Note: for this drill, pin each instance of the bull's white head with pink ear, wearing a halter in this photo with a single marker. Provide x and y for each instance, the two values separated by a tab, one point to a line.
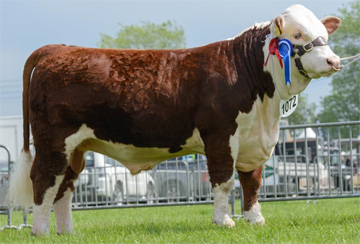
311	57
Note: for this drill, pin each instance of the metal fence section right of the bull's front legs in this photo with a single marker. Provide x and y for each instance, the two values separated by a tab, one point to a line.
314	161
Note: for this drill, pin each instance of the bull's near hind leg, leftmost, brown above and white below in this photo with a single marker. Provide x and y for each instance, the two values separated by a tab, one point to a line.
47	175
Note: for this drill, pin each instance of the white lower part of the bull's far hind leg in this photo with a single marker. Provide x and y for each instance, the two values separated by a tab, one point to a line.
63	216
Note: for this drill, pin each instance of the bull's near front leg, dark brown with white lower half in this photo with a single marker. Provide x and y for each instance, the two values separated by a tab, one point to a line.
221	172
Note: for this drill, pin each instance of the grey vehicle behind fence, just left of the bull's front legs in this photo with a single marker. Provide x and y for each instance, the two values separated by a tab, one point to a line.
182	178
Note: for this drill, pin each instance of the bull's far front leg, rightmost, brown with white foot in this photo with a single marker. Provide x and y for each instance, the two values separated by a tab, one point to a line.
251	182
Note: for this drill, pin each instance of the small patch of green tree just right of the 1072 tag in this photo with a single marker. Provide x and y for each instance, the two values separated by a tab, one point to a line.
304	113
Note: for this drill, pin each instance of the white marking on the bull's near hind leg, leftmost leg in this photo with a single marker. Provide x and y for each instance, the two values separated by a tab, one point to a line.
42	212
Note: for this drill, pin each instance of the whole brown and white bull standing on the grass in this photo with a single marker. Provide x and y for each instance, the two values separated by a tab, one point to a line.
141	107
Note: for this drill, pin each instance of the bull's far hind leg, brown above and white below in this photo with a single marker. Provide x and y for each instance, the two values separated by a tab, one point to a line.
62	205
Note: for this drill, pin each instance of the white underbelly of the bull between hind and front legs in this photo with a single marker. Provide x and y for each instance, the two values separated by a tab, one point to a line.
133	158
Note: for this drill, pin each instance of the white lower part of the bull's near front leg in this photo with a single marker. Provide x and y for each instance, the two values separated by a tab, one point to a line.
221	204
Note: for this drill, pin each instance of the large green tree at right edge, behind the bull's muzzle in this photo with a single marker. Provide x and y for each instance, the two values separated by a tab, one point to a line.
344	102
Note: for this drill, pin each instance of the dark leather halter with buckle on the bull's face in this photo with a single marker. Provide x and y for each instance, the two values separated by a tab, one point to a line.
302	49
